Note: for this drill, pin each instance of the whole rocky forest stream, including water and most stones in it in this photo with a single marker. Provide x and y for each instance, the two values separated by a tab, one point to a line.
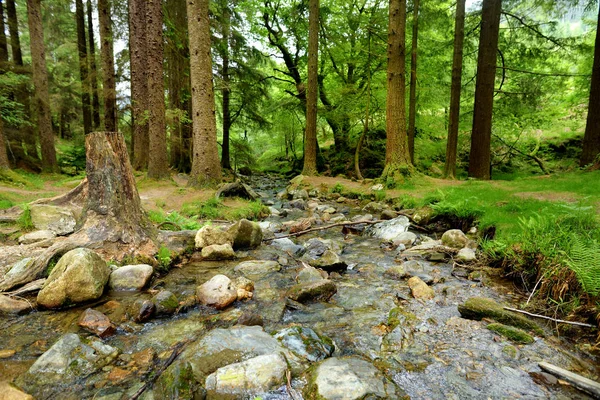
361	335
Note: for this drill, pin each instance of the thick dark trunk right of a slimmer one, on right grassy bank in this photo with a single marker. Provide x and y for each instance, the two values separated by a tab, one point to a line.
480	155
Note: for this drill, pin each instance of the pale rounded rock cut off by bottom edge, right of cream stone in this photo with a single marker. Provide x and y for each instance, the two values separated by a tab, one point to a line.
349	378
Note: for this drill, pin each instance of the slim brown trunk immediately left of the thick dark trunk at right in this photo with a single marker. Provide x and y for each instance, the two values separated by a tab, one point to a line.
459	36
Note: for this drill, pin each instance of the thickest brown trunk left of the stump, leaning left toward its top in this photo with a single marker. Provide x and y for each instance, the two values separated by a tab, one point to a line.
40	81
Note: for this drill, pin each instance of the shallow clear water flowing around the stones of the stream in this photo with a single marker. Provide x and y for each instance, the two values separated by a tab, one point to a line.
432	354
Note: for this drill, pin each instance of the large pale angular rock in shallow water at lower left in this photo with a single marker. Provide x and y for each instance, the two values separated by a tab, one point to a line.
68	360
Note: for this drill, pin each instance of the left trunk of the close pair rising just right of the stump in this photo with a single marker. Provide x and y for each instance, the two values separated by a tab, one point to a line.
138	45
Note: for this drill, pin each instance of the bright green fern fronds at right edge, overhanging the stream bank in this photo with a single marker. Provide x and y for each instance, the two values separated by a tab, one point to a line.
584	260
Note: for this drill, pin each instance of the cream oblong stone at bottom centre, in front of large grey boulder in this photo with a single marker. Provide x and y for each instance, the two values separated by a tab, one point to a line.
248	378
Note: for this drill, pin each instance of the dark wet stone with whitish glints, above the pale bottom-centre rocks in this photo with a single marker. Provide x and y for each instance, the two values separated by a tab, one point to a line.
306	343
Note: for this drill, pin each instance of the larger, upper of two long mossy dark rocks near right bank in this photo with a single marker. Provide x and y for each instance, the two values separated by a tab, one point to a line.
478	308
